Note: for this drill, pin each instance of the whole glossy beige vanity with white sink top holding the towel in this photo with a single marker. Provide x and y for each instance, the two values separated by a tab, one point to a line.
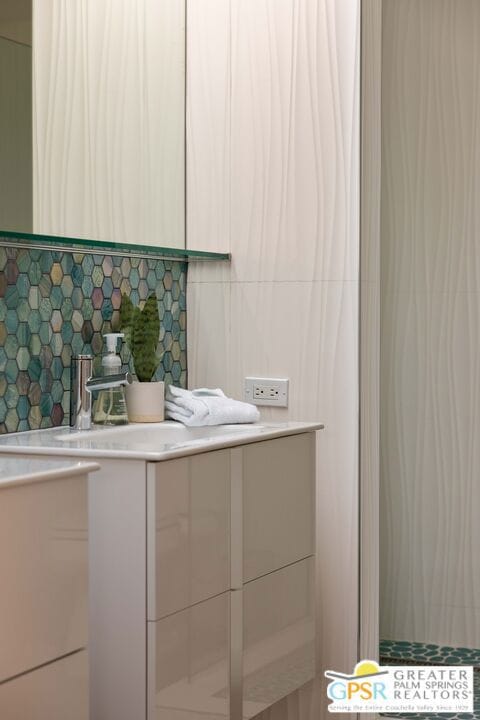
202	580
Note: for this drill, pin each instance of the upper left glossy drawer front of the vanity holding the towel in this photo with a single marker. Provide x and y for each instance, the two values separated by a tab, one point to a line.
188	531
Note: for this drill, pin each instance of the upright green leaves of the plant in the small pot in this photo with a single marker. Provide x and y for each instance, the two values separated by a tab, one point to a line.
142	331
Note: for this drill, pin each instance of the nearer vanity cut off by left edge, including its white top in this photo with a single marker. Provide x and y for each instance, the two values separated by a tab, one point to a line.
43	595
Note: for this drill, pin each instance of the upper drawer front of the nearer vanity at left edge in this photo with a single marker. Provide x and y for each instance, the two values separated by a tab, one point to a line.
44	572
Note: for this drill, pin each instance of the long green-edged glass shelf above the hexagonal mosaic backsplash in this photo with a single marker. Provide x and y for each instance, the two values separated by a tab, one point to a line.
54	242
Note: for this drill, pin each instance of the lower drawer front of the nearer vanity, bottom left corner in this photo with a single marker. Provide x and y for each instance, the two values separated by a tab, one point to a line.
58	691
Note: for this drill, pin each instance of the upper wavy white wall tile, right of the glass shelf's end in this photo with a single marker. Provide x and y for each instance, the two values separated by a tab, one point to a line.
294	140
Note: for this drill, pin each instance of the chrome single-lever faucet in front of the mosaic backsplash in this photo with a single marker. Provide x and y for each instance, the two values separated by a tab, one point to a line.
82	386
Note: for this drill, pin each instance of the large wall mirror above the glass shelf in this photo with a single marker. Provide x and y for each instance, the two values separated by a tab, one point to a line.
93	143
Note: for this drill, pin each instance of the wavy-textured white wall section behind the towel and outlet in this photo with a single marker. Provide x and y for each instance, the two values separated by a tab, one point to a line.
278	106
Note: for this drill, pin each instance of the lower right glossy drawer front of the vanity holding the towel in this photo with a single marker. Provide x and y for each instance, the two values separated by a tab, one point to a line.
278	635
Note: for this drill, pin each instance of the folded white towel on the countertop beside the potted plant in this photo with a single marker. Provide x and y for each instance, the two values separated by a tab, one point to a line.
207	407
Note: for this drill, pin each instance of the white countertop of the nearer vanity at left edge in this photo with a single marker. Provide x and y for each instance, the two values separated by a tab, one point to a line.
22	471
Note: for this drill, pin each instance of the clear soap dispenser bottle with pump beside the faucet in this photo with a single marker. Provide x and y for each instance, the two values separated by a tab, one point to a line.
111	407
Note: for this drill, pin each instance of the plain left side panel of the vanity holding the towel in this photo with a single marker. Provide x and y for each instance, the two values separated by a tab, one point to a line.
117	556
